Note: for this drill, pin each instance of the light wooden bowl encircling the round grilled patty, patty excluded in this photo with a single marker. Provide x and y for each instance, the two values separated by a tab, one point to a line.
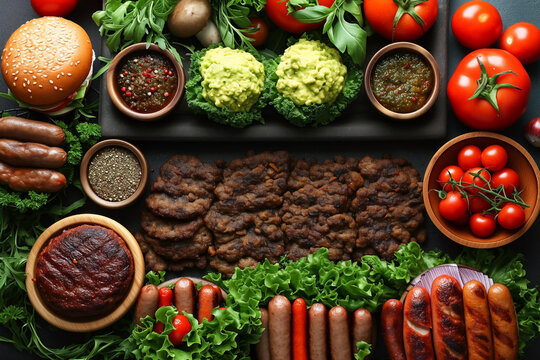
87	324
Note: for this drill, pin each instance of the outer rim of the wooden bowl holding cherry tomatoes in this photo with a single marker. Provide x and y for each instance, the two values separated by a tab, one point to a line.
481	243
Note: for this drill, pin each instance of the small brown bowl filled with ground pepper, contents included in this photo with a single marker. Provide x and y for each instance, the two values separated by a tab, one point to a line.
114	173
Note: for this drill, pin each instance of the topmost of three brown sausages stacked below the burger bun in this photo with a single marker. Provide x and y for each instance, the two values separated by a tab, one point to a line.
30	130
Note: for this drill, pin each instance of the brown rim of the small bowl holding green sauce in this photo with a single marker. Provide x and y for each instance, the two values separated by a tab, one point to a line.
403	47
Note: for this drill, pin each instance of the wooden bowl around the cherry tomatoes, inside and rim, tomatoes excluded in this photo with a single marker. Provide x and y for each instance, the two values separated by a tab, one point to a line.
518	159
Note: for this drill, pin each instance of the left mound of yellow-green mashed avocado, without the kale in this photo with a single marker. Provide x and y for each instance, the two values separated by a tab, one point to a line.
232	79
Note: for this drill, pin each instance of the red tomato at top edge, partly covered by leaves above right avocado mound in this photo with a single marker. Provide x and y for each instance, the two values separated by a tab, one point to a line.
277	12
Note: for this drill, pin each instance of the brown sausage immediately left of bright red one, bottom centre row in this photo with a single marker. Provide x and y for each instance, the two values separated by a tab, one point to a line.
279	326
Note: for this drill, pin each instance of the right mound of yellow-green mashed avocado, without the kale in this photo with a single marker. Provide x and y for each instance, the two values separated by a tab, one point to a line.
311	72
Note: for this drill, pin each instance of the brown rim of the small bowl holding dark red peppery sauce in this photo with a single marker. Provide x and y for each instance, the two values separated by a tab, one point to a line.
114	91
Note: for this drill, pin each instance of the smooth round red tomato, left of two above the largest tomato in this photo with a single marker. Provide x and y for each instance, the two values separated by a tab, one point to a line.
476	24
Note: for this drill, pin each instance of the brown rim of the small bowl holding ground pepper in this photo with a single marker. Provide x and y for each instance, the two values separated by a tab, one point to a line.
86	183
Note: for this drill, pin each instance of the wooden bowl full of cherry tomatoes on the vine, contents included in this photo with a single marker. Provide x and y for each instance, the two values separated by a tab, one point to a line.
482	190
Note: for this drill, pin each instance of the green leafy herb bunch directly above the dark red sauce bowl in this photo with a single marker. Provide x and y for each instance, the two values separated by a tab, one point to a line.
126	22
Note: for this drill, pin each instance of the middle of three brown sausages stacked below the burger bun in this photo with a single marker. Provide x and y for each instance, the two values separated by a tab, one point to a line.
17	153
